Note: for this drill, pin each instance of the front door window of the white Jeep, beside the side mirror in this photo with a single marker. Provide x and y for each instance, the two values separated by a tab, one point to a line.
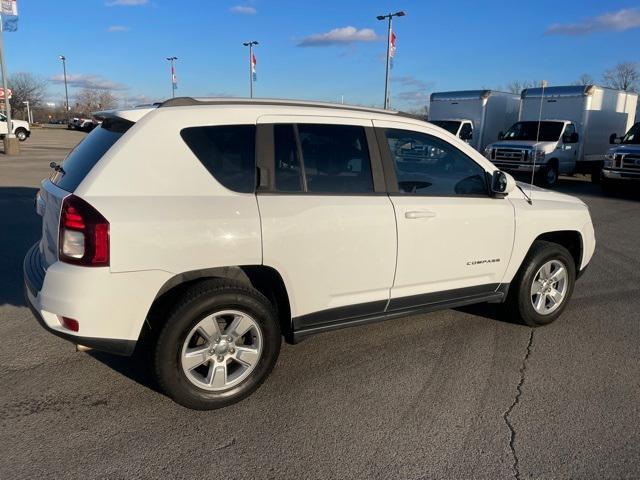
427	165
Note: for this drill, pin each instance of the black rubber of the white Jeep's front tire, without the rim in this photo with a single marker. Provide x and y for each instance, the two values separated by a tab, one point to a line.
519	305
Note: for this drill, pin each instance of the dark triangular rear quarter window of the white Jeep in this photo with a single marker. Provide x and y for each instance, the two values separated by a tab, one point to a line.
227	152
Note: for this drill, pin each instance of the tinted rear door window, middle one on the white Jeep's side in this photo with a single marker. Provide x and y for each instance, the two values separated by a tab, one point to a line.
332	159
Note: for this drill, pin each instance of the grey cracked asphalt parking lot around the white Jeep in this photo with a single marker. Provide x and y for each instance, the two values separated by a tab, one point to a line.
455	394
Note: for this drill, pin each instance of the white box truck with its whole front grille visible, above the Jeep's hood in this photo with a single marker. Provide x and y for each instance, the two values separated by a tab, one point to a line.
572	135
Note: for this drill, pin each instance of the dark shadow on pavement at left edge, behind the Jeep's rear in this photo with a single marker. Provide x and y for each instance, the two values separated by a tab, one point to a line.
20	227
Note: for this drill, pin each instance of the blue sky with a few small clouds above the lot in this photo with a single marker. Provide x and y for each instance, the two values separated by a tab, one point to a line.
122	44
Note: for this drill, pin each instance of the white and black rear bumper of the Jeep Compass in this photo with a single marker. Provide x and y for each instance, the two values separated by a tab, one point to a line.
110	308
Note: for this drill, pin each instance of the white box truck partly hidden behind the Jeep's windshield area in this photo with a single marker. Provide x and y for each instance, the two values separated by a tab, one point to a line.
475	116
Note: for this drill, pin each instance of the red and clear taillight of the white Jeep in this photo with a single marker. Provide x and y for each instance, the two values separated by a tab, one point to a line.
84	234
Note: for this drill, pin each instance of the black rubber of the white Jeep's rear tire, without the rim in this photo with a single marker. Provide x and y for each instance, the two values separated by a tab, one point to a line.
198	302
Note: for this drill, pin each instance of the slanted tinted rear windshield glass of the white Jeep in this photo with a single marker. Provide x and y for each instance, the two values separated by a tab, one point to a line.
87	153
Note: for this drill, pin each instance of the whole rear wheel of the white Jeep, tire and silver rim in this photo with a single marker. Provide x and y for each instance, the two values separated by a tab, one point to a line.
217	346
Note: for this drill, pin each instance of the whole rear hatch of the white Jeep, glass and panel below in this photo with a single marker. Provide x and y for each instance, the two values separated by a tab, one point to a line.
68	176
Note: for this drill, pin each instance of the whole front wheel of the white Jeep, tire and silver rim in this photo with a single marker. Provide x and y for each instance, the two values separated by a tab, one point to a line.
542	288
